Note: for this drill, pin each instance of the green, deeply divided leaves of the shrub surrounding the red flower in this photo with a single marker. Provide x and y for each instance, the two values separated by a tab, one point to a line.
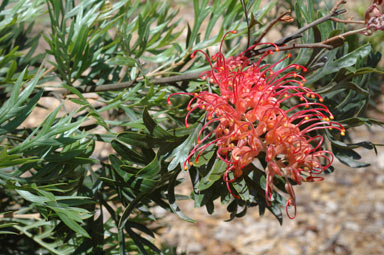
59	194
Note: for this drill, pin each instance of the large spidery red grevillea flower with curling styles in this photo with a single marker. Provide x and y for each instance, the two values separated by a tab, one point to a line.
251	115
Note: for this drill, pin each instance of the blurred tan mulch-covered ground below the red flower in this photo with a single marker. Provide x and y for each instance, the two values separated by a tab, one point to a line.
342	215
